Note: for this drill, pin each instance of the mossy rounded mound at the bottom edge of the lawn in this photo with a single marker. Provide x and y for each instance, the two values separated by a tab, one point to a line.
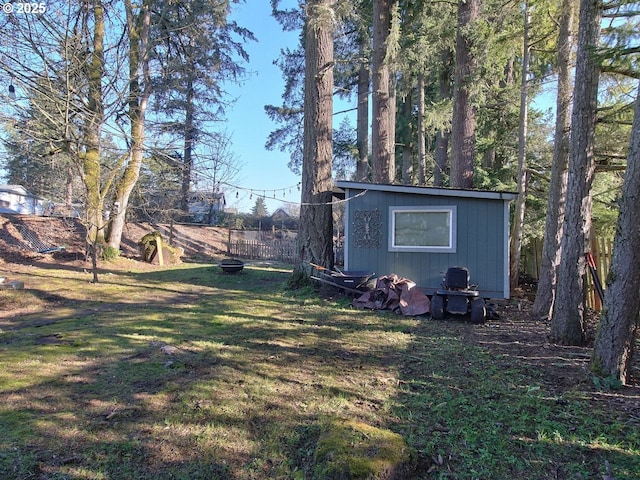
348	449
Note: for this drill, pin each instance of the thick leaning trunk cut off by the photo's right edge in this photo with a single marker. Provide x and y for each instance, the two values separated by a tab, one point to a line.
614	345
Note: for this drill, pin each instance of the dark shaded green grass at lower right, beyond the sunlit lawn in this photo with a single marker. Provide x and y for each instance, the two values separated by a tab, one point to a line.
498	401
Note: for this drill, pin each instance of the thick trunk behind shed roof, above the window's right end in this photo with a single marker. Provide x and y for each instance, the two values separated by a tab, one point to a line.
464	116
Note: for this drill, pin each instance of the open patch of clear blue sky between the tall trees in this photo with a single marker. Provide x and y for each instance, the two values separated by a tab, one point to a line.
261	170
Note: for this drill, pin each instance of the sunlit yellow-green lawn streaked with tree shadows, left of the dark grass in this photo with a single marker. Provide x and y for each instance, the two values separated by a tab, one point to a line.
198	386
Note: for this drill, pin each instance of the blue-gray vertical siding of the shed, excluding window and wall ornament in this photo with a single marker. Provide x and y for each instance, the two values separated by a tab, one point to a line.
482	241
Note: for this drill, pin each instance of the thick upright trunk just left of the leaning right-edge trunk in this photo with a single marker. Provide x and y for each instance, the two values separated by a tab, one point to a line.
567	323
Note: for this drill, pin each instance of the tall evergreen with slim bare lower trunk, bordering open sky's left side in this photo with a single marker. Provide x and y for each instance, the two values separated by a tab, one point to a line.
197	48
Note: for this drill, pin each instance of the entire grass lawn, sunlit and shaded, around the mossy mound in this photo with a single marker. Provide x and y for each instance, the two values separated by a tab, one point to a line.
188	373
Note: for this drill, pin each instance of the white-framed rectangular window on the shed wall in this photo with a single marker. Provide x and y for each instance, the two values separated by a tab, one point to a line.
422	229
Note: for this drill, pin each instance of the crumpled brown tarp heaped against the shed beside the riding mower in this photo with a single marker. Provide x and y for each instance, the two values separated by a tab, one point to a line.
395	293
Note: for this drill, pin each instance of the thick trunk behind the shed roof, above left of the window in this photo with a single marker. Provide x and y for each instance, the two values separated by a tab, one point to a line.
381	134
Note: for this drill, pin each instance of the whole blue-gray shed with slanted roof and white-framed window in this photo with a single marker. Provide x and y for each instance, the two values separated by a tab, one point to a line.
419	232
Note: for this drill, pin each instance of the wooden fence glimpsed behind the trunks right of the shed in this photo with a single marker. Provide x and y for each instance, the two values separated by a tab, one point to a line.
600	249
